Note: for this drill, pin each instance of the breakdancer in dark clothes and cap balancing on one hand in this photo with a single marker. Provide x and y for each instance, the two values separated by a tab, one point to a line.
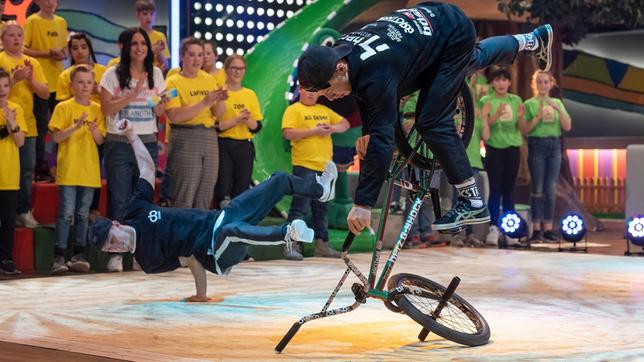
163	239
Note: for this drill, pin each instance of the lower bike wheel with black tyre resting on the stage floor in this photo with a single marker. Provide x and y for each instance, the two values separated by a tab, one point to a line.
458	322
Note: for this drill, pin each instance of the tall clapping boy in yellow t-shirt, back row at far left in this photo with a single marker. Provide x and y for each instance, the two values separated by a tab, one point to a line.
28	79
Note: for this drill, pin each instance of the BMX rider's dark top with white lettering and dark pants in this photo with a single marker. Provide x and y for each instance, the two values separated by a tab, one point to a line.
431	47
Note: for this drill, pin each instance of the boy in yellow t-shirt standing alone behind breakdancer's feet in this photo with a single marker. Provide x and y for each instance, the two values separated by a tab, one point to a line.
309	127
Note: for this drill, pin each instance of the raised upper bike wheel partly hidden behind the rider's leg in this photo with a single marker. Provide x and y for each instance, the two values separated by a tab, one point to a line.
464	123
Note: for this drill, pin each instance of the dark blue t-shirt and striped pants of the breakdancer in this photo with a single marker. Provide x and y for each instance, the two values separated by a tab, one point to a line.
218	239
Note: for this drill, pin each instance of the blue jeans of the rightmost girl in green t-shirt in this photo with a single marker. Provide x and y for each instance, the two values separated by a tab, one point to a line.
544	161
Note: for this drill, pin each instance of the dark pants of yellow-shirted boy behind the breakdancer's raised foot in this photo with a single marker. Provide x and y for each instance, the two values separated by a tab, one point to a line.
301	205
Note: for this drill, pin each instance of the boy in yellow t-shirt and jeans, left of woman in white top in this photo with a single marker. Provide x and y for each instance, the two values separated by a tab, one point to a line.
78	127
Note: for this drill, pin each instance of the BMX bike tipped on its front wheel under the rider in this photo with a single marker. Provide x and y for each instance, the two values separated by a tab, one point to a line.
436	308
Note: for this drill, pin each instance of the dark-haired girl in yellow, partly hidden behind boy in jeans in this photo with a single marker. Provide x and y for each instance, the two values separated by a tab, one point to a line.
82	53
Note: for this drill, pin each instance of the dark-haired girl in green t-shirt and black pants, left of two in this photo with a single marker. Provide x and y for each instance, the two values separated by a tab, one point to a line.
504	113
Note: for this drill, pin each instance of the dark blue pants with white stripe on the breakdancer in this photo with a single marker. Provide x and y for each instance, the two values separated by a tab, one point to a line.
246	210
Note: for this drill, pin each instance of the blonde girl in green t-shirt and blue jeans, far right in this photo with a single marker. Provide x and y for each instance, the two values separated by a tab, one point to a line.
545	118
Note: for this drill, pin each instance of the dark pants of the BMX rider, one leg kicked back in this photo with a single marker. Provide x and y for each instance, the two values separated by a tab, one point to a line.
437	100
